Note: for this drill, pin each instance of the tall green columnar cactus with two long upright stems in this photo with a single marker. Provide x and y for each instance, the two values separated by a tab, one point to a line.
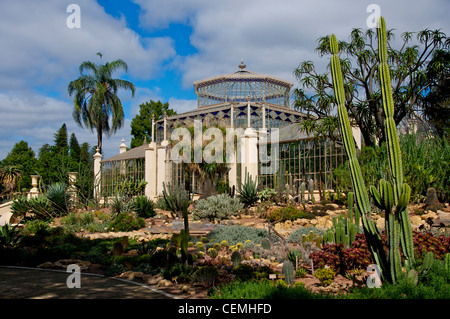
393	199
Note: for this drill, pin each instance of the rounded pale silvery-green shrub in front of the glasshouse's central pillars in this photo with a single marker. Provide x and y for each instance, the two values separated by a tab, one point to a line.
217	208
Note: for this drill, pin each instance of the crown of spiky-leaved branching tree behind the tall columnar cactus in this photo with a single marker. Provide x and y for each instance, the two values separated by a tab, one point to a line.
359	61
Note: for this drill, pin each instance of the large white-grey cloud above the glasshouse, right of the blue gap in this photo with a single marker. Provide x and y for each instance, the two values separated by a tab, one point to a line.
274	36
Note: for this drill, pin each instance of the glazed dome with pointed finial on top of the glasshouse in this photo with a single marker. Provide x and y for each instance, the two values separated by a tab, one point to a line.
242	86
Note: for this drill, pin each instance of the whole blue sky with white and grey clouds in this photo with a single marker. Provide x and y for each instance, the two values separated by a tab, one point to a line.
167	45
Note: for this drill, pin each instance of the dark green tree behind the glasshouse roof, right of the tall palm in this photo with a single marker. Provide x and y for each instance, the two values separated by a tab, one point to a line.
141	125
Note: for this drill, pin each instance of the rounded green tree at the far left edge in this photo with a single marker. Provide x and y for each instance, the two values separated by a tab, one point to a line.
22	157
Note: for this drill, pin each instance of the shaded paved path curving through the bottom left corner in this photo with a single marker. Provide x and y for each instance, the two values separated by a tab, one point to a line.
33	283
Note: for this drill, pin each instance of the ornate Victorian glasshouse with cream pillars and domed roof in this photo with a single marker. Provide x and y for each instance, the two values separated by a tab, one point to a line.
257	107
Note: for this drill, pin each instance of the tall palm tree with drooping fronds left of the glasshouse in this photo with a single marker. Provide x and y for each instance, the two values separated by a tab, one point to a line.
96	100
